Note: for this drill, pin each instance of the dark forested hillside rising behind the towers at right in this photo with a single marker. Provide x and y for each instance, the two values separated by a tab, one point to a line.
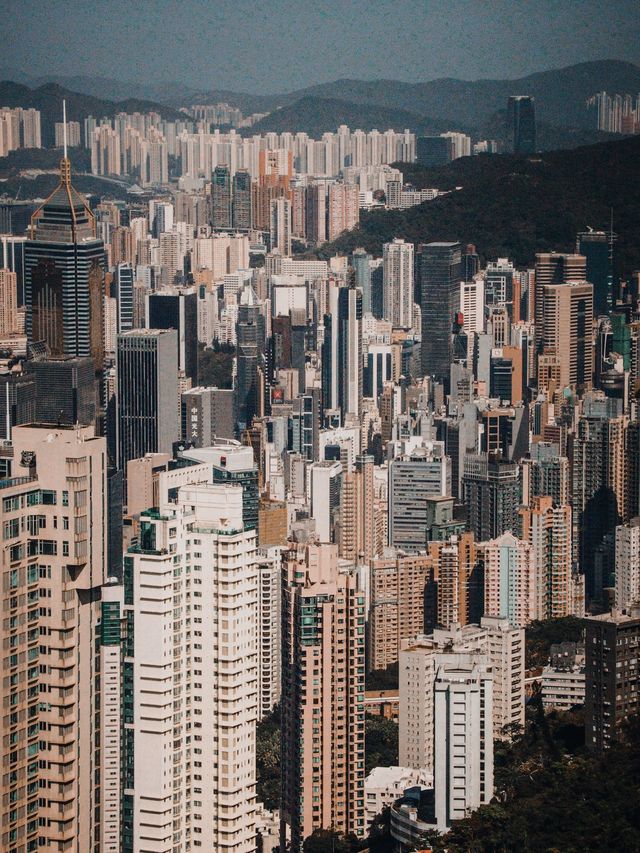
516	206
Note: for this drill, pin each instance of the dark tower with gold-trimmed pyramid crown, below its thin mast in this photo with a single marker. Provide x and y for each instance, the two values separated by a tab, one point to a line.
64	275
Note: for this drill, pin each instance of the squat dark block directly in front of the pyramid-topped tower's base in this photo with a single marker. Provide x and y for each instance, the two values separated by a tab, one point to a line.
65	392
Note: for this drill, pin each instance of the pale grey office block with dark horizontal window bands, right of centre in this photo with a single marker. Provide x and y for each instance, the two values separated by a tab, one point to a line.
414	477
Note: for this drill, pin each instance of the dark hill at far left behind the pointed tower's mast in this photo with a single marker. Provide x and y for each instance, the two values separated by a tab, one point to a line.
48	99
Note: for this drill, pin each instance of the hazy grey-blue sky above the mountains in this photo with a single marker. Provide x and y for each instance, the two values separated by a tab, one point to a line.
278	46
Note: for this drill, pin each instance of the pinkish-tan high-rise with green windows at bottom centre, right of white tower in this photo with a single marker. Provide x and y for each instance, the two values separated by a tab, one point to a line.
323	654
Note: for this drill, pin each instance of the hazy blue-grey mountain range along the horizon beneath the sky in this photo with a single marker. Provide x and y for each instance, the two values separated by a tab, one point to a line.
560	93
